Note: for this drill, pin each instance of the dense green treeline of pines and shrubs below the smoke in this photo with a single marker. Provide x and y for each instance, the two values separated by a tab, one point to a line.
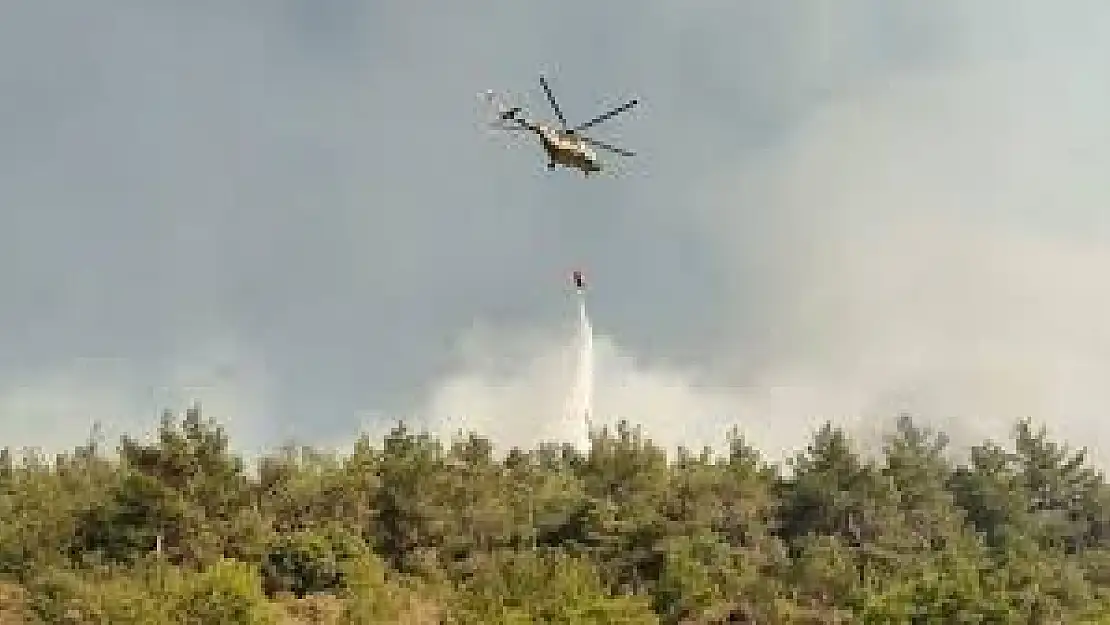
415	530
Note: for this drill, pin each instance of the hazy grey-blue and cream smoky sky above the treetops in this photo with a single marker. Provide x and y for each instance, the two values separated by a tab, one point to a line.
292	211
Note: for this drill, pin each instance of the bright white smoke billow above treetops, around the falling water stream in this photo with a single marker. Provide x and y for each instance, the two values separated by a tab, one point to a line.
522	389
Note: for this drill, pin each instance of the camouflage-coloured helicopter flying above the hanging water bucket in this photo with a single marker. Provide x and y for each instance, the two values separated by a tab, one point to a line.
566	146
